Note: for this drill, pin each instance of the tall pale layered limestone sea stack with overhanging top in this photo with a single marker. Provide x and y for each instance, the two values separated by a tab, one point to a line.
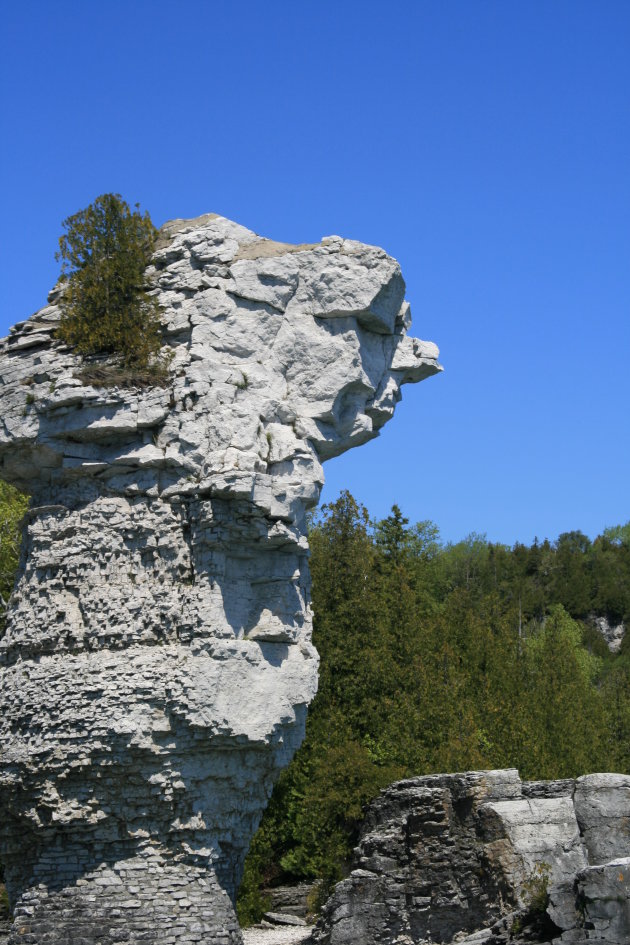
157	663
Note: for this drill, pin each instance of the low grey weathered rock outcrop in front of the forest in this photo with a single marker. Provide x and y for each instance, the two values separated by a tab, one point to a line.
446	855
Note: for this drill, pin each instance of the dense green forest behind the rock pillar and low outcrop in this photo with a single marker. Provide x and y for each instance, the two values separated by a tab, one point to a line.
442	658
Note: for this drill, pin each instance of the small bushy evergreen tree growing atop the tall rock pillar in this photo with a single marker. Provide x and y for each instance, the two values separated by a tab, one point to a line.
106	308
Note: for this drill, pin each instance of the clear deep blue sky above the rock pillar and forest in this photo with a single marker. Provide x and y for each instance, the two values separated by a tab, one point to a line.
485	144
